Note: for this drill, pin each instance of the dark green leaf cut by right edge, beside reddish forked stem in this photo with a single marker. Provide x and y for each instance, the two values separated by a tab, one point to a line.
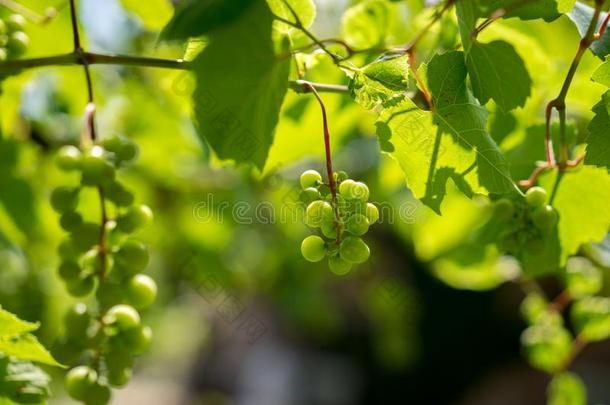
598	141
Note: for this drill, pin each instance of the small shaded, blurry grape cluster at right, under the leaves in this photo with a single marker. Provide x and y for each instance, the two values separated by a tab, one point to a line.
529	222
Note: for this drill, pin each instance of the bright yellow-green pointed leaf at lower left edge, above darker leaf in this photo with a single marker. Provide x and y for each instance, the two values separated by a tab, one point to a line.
17	341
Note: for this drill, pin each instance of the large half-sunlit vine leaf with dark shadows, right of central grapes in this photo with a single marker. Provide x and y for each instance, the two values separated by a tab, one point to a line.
450	143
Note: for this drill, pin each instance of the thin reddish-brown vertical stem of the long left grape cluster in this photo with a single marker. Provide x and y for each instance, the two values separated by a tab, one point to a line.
91	132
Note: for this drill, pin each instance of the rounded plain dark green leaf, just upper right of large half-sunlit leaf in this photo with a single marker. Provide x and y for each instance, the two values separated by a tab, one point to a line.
497	72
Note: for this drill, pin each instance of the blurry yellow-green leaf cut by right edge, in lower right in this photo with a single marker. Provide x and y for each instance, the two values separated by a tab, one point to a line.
591	318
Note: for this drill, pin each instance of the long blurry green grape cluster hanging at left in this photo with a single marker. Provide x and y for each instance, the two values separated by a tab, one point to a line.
102	258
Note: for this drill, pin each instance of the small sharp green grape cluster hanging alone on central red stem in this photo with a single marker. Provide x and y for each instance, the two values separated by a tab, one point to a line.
341	222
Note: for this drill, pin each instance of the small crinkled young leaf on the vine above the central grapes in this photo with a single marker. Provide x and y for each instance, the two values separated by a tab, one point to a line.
382	80
